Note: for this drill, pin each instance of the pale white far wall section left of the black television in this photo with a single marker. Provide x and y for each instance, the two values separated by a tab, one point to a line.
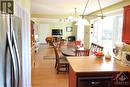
43	32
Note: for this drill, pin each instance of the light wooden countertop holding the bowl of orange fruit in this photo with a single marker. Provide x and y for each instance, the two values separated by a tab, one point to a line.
93	64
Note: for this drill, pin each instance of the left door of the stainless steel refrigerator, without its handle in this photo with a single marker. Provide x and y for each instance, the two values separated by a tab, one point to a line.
3	29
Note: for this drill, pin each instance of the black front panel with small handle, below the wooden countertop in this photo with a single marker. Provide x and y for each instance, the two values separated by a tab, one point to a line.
95	81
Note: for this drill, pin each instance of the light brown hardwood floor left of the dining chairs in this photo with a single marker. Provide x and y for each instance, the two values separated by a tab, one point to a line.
43	70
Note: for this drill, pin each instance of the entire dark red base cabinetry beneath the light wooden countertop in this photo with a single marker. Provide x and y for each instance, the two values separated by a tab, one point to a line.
98	79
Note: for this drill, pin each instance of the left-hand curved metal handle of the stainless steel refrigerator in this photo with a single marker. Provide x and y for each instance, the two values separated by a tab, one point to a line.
12	58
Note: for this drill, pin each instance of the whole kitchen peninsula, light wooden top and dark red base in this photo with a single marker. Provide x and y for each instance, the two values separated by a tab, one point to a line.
91	71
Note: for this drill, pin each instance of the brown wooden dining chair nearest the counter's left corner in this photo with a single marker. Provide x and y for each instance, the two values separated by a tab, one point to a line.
61	63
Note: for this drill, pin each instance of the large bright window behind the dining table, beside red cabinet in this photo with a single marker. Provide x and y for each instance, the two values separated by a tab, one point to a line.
107	31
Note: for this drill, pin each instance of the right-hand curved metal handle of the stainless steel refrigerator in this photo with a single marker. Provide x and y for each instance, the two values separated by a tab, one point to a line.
17	56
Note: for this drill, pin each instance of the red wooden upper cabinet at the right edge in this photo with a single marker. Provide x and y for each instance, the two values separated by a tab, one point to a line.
126	25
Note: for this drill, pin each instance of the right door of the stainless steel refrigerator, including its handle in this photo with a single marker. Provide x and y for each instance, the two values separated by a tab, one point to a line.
17	45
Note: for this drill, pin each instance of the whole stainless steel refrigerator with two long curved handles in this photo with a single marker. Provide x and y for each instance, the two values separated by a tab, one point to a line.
10	51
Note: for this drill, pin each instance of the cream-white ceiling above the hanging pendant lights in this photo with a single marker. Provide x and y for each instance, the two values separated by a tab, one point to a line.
66	7
